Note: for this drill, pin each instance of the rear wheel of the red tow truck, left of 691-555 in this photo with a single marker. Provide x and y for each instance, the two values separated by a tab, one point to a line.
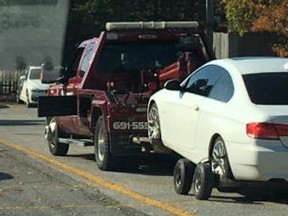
103	156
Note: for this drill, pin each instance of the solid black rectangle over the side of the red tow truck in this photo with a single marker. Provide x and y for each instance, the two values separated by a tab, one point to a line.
57	106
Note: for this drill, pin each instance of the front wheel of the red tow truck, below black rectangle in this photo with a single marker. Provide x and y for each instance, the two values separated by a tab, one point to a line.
55	147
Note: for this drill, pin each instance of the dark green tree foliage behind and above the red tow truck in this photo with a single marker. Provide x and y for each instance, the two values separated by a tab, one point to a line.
87	18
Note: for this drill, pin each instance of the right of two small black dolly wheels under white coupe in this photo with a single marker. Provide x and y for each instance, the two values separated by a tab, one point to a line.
203	181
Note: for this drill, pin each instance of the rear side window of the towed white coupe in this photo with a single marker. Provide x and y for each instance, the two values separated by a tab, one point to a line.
224	88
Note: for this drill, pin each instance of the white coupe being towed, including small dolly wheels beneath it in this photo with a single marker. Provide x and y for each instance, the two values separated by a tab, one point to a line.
229	120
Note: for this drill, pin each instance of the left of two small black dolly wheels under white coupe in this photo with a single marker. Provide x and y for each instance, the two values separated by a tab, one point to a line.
183	175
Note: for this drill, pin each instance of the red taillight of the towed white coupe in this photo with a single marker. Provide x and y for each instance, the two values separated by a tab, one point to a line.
259	130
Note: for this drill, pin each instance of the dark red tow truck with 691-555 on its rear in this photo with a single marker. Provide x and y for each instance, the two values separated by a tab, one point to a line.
101	97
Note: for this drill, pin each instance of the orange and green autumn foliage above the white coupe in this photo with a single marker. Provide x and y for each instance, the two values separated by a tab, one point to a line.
261	16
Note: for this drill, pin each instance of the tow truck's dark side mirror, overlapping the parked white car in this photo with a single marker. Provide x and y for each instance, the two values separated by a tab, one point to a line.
51	74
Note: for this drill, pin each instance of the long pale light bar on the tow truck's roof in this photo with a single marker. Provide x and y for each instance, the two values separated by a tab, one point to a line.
151	25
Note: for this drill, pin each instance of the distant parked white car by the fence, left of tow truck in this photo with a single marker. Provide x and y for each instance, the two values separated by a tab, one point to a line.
32	87
